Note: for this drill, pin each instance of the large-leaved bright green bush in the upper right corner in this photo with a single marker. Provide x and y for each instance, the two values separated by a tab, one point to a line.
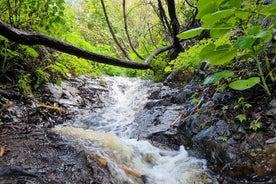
249	27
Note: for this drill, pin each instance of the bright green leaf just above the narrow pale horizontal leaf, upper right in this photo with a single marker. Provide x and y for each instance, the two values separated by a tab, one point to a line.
210	20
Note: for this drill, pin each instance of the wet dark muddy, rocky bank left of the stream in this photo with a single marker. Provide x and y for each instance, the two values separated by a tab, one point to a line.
31	153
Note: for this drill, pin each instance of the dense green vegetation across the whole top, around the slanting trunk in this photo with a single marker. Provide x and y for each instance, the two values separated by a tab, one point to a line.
237	37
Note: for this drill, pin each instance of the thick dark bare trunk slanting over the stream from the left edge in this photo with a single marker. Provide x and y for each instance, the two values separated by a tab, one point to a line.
28	38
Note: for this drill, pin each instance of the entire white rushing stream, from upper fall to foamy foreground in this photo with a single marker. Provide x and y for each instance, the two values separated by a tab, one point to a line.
107	135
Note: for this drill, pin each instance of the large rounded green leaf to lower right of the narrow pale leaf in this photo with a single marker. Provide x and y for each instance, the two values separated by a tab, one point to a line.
218	55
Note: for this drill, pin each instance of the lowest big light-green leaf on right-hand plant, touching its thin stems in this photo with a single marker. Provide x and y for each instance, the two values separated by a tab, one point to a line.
244	84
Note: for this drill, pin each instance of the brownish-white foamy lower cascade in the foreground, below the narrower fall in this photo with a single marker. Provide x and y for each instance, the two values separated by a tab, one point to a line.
157	165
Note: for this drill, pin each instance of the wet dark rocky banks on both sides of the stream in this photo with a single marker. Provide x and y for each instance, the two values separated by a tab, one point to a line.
202	118
